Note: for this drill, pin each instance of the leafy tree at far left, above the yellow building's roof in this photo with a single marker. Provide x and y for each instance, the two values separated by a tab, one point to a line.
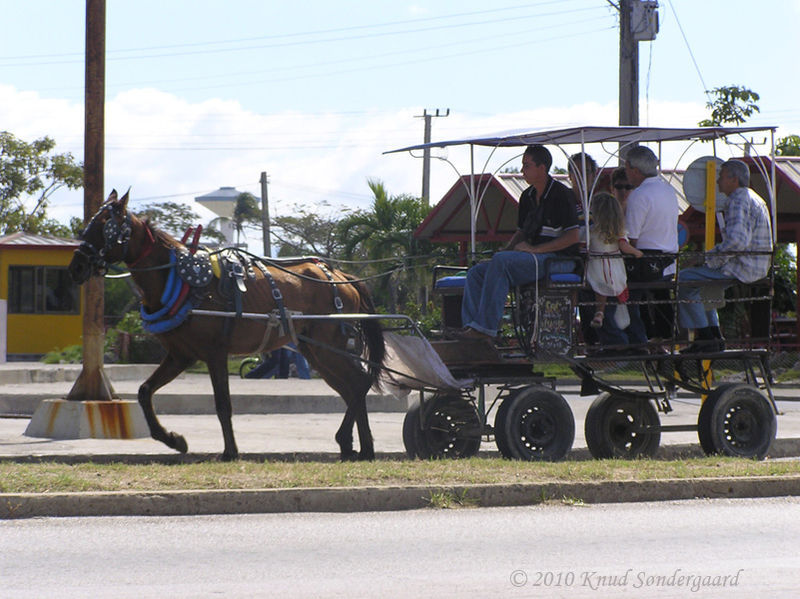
30	171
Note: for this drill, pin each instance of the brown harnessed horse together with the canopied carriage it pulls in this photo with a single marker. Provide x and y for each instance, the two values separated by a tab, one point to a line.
206	306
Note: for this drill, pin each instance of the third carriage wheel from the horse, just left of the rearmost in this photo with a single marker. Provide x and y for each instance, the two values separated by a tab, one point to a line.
614	427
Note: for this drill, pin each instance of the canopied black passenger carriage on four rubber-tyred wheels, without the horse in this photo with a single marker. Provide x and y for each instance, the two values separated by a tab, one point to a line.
527	416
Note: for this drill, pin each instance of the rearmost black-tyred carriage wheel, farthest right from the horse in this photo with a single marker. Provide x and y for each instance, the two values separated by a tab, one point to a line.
737	420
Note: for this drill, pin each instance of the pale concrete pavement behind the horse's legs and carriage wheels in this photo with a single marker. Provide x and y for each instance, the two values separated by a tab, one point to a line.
277	417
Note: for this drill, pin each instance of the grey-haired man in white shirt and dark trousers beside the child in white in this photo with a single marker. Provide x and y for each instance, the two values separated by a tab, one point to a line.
651	218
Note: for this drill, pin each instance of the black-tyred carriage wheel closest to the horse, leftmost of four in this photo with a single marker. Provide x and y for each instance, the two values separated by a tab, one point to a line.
448	426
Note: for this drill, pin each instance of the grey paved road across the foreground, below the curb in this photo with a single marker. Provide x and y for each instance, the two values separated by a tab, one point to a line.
555	550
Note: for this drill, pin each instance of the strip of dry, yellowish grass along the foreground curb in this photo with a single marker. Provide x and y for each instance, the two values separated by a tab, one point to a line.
52	477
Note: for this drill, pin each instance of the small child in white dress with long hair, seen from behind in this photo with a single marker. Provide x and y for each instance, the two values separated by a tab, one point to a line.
606	269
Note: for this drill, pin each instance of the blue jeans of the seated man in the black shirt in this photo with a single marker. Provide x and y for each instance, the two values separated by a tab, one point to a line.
488	283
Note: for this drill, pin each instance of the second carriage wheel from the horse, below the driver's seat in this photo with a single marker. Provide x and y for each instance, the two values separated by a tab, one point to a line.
538	425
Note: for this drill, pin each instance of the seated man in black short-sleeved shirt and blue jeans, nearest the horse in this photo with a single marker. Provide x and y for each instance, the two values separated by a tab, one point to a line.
547	226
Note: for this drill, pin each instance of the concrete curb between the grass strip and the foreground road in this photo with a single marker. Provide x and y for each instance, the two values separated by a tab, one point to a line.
364	499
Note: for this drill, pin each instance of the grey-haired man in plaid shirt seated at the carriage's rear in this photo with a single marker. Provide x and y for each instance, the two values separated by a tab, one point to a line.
747	230
